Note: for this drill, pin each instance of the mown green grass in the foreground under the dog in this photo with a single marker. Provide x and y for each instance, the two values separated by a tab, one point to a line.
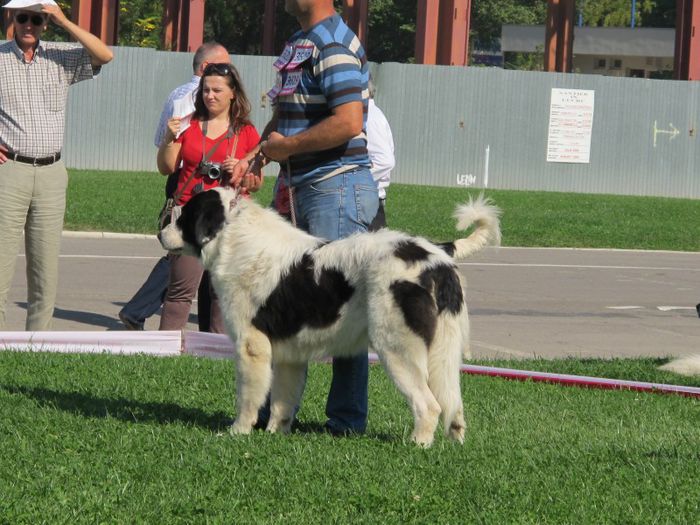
110	439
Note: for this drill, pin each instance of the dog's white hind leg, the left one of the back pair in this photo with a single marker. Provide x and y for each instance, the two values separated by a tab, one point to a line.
408	368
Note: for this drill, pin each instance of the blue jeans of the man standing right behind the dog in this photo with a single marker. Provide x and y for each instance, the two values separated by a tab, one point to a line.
333	209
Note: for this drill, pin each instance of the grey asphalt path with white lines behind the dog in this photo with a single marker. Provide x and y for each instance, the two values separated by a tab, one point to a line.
523	302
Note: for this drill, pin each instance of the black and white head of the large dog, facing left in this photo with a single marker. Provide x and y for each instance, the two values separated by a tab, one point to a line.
201	219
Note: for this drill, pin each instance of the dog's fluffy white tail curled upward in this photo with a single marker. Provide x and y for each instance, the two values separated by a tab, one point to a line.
482	213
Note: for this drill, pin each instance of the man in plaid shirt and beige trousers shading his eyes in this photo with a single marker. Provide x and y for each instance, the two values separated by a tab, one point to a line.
33	179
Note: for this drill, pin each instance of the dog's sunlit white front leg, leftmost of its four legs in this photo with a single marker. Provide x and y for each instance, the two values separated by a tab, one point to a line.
253	375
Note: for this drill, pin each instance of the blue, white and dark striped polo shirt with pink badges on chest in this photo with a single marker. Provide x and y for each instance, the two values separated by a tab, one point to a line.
320	69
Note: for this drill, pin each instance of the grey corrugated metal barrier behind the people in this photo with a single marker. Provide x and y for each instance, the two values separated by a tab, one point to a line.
454	127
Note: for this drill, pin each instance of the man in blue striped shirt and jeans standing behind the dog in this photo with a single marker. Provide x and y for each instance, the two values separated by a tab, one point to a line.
318	136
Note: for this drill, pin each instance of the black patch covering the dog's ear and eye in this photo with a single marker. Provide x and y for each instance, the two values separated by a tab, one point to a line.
202	218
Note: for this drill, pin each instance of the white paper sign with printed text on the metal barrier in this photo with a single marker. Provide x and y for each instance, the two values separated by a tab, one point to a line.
570	125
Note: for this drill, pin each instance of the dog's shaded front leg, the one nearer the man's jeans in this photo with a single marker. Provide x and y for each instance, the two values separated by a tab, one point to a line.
288	381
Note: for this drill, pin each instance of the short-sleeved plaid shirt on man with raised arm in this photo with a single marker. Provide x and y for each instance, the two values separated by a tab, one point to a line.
33	95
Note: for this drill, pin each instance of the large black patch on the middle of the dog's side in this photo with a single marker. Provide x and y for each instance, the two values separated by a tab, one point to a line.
299	301
